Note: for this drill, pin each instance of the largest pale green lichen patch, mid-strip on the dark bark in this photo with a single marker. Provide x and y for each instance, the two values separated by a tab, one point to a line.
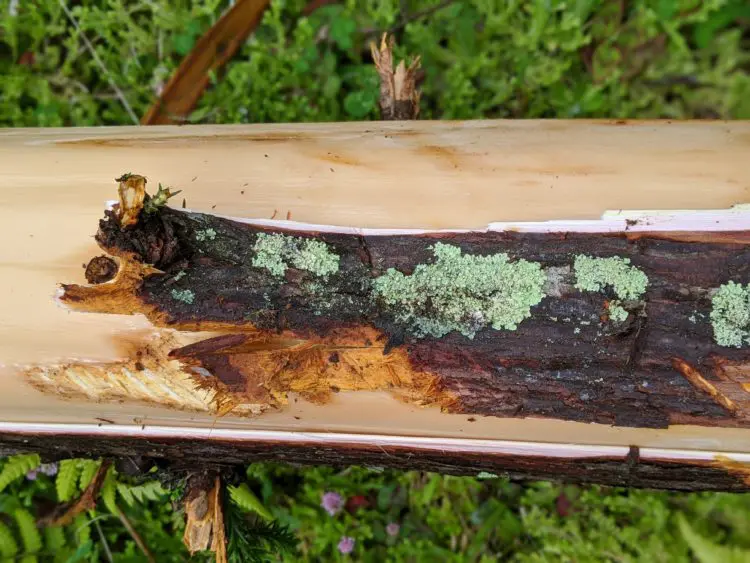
462	293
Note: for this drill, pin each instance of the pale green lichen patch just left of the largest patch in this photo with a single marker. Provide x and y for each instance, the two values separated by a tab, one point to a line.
276	253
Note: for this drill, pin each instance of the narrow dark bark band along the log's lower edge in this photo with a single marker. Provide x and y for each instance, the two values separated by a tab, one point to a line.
186	454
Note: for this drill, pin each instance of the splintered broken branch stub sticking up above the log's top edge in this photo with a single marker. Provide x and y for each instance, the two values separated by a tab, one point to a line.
399	97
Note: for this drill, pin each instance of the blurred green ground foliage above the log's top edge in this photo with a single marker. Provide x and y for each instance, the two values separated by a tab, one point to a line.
681	58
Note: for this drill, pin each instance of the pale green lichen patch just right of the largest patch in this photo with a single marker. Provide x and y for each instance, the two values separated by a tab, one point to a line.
594	274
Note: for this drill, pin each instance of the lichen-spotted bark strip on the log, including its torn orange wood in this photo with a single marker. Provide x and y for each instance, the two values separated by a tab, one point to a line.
608	328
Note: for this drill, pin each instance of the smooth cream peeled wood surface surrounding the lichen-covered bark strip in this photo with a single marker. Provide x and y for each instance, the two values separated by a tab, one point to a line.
53	185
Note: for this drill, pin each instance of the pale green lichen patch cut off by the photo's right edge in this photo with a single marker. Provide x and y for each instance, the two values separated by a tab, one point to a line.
730	314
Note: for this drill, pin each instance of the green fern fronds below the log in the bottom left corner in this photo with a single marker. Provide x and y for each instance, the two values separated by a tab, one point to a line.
159	525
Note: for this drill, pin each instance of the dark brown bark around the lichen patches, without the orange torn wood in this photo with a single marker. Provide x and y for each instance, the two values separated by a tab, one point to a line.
566	361
